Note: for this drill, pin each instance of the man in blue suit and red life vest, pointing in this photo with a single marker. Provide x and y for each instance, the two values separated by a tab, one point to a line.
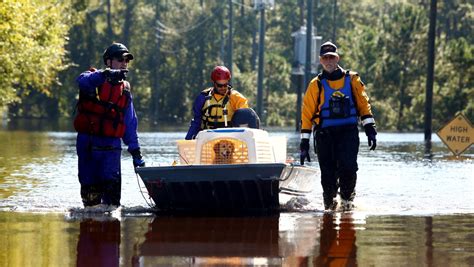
105	116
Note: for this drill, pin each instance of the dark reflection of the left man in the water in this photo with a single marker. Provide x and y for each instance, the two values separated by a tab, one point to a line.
99	243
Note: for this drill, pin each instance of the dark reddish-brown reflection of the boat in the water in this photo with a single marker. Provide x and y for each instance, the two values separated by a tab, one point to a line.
211	241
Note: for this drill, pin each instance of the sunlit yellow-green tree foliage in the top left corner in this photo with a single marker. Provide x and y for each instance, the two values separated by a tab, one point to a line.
33	36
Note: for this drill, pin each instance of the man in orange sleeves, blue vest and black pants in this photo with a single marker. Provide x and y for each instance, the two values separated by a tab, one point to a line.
334	103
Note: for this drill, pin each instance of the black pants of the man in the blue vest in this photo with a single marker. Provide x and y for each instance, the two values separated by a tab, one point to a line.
337	149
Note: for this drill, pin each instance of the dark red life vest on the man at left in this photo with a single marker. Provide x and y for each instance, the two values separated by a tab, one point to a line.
103	115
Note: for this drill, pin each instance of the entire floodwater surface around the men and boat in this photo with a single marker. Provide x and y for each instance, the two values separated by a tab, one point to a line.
409	212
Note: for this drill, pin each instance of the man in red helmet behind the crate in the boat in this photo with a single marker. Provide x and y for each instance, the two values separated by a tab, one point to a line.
215	106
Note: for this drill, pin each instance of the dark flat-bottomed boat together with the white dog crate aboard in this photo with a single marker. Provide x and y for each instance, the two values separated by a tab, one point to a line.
228	170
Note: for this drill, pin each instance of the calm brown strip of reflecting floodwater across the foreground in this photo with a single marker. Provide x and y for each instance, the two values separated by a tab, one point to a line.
287	239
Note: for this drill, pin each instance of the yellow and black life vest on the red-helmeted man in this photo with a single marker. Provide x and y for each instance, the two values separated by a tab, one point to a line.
215	112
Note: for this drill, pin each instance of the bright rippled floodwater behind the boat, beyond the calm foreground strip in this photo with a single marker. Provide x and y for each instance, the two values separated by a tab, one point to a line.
394	179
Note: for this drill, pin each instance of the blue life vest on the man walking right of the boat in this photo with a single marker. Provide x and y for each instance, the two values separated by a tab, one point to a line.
338	108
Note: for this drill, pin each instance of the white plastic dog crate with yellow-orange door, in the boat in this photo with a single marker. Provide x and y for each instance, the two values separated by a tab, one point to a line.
232	146
